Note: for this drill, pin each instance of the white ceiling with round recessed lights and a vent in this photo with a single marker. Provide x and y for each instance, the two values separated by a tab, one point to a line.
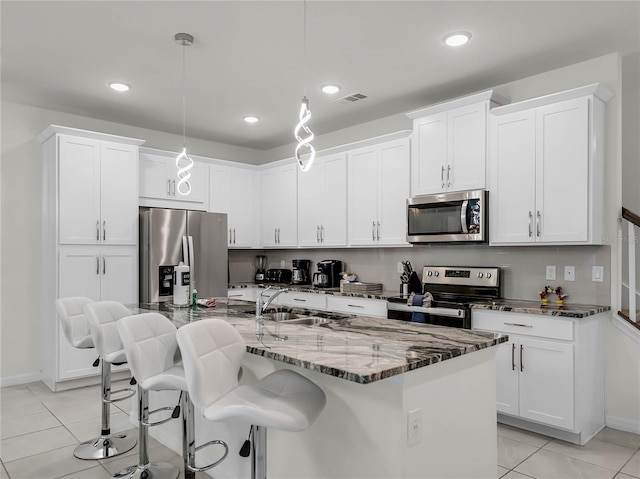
248	57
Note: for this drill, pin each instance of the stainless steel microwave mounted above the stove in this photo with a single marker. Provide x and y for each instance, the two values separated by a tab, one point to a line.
448	218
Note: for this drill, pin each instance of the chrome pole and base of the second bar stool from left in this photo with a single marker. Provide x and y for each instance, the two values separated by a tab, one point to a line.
144	469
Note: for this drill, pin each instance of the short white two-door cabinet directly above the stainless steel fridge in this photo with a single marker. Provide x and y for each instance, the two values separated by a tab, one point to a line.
159	181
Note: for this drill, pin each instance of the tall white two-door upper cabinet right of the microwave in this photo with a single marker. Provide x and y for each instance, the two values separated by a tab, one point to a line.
546	169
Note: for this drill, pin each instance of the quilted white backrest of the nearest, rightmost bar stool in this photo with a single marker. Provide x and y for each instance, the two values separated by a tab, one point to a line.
212	352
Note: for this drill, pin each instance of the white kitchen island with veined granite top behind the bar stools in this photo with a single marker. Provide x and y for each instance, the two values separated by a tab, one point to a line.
383	380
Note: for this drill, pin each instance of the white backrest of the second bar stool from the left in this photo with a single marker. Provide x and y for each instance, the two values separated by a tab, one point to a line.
102	317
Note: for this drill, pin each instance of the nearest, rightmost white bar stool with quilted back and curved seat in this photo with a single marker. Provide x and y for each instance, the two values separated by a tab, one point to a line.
212	352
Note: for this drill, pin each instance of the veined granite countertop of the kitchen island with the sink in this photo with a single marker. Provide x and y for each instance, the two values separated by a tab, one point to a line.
360	349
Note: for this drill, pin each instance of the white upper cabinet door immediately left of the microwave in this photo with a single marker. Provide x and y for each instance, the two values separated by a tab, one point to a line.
394	180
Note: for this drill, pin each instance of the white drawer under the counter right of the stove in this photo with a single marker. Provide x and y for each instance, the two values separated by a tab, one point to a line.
538	325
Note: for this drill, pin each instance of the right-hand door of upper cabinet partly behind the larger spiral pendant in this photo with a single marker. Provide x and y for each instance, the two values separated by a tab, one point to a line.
334	200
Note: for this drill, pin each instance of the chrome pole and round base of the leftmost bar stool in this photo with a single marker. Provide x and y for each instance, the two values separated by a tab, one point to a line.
107	445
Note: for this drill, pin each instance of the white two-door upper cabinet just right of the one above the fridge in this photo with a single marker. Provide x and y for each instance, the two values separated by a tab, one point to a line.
234	191
